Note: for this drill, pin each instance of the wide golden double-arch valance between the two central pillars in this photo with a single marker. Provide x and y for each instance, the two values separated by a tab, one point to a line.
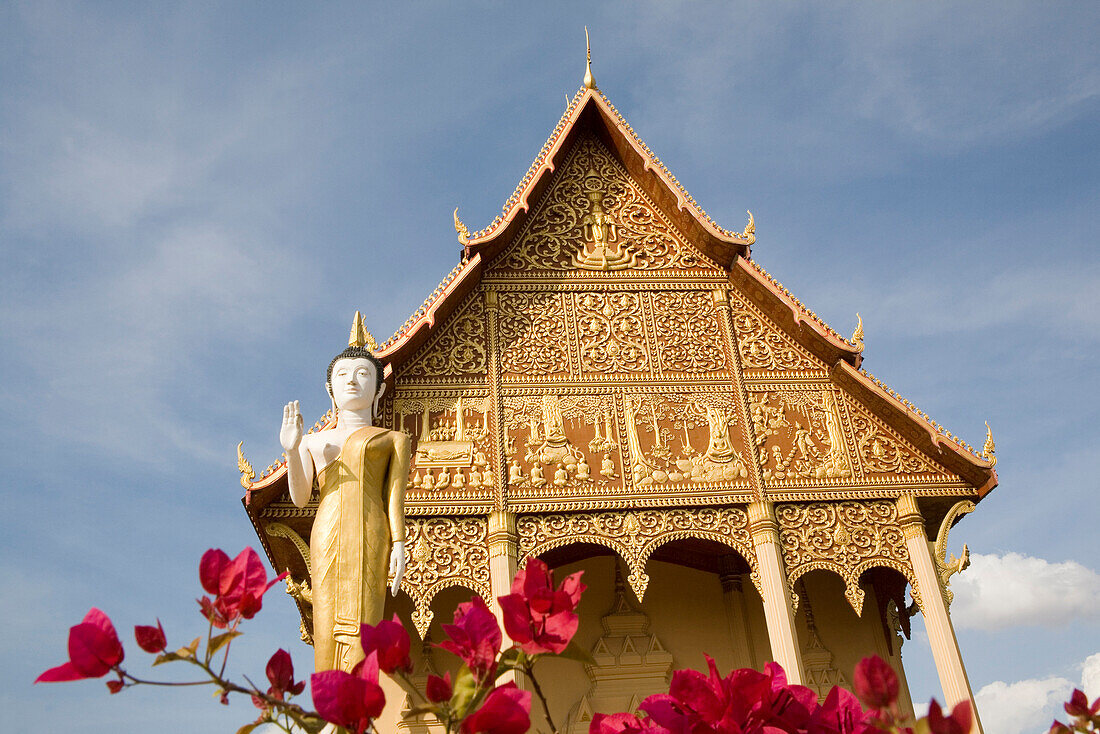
636	535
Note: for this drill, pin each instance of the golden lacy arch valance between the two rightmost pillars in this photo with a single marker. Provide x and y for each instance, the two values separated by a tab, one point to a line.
846	539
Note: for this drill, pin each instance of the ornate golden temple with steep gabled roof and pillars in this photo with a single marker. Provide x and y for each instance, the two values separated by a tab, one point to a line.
610	382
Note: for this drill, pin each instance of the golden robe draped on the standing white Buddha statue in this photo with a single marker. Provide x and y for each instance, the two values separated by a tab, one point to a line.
360	514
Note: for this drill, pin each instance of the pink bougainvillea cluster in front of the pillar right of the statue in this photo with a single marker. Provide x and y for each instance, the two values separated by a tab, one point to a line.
537	617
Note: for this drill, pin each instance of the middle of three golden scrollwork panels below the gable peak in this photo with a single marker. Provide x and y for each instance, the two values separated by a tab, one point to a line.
612	332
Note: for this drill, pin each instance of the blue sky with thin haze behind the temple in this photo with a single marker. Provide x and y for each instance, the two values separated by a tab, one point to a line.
193	201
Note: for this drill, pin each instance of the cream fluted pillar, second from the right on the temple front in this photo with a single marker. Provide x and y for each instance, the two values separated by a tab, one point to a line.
778	610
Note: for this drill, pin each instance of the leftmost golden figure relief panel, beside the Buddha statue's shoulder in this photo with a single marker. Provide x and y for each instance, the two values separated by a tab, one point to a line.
453	444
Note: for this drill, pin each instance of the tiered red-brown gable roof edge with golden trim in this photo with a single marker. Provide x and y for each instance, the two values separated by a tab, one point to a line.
590	112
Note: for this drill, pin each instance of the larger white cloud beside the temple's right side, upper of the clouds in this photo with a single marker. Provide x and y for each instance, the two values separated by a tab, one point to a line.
1000	591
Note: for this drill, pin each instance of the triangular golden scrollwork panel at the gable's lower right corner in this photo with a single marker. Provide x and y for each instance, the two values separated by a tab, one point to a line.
885	456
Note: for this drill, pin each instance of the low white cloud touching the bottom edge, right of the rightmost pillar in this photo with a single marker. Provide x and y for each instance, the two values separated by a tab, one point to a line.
1024	707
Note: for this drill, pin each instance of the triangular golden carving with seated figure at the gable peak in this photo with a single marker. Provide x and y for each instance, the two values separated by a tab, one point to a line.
596	220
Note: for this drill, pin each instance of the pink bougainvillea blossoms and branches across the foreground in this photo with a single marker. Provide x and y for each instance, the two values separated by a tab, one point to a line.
483	698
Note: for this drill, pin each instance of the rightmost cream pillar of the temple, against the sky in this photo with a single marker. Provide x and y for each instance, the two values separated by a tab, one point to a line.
945	648
